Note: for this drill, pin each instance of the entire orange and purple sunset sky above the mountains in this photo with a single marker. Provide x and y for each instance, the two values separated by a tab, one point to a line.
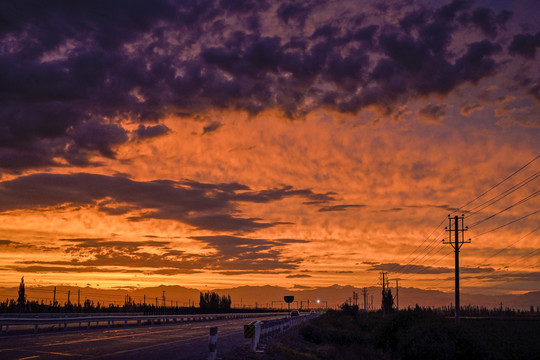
223	143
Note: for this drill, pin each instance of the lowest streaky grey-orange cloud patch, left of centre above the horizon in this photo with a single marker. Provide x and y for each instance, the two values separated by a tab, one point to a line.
229	255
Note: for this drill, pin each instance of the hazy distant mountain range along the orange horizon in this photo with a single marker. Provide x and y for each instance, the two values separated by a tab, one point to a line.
267	296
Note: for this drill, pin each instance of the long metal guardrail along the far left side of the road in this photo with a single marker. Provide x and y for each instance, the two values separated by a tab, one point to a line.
111	320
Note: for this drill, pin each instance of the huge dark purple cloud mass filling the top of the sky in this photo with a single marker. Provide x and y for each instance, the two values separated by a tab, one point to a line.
71	72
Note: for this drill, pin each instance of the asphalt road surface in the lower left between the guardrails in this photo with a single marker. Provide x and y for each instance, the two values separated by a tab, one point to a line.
167	341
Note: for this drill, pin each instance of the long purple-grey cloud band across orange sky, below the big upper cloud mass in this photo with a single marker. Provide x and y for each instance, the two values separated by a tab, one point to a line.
201	205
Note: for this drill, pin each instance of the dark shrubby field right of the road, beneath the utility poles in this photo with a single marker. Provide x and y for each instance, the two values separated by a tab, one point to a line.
413	334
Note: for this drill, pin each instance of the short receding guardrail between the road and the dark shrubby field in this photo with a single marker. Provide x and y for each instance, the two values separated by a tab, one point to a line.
260	330
